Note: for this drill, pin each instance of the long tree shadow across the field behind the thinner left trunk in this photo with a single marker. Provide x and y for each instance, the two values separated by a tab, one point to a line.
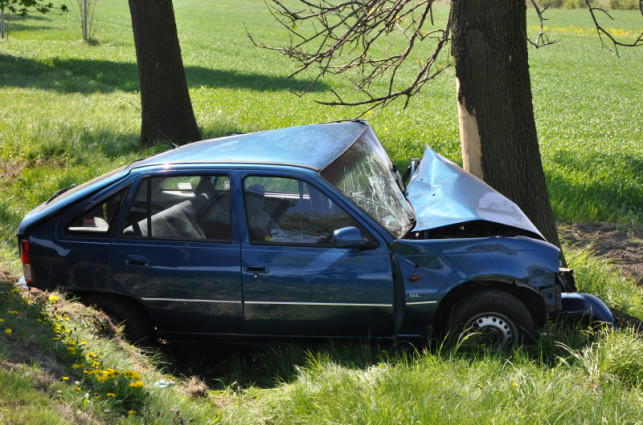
91	76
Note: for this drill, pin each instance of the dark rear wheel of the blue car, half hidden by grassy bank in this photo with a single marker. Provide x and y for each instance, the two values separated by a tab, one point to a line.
137	326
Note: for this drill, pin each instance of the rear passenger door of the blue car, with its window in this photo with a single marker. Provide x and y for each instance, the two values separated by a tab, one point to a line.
178	252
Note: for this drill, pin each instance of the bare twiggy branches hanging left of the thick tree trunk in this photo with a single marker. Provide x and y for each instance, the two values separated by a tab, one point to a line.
355	35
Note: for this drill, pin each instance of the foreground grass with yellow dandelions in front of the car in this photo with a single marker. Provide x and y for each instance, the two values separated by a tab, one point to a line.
570	376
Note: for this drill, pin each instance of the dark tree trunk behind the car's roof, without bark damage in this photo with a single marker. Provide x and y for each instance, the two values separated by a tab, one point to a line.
165	99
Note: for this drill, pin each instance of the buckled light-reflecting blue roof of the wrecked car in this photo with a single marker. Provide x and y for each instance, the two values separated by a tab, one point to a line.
310	146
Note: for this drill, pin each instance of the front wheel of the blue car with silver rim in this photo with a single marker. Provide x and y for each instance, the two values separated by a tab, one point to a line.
492	319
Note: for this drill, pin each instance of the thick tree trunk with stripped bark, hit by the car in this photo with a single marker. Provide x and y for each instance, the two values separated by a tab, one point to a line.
494	97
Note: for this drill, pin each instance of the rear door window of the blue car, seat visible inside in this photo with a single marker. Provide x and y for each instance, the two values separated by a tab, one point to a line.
181	207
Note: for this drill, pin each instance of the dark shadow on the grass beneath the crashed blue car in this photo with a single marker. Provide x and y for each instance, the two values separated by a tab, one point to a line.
271	364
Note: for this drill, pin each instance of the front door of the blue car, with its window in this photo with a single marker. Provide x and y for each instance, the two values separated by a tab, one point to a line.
294	281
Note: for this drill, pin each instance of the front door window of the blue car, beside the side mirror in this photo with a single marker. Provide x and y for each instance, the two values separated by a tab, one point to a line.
282	210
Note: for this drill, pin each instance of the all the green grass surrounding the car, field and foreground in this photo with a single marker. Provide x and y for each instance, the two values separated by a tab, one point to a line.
69	111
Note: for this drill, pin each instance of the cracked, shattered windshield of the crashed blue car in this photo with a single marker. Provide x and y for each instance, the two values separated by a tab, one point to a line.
364	173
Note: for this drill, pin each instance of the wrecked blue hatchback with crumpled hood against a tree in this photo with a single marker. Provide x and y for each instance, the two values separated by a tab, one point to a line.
307	231
